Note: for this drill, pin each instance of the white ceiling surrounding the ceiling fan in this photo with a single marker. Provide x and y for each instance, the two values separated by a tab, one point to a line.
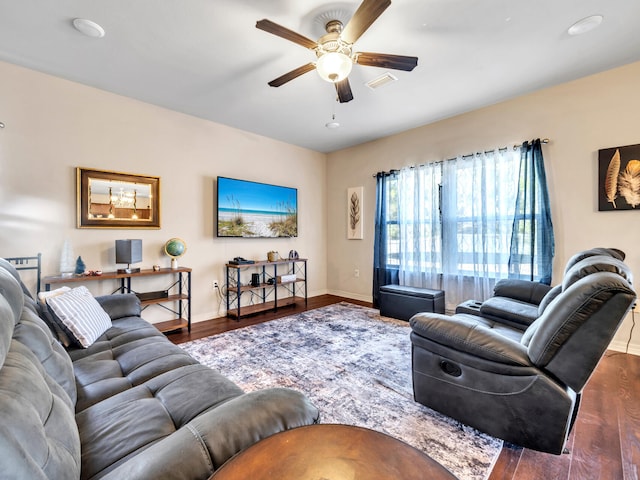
206	58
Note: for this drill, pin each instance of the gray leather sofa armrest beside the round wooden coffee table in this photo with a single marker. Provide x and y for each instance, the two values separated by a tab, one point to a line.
196	450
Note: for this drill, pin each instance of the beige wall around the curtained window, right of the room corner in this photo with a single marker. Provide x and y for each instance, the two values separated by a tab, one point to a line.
579	117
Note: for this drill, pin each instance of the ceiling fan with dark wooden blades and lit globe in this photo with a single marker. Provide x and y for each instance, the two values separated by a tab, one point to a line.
335	49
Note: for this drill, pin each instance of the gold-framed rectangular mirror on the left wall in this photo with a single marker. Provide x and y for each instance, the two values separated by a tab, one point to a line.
117	200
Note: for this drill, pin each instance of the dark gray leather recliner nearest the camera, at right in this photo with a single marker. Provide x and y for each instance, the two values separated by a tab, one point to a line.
523	386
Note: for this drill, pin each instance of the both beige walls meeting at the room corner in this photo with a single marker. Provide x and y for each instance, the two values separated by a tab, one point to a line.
53	126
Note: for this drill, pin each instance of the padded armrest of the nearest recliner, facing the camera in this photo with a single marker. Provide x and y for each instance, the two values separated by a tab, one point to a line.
464	334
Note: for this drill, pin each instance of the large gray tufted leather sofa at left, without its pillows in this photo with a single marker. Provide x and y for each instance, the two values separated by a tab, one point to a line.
130	406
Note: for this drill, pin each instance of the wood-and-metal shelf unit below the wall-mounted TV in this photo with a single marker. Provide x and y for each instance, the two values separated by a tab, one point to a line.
268	295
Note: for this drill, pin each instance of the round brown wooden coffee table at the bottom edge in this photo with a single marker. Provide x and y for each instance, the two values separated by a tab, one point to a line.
331	452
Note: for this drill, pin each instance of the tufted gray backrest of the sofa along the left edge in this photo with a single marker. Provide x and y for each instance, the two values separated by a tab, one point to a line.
38	433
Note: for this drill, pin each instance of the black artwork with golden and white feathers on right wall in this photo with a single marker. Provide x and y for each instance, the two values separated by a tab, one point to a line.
619	178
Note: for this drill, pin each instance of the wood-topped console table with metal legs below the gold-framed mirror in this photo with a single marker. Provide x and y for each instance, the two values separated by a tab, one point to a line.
181	286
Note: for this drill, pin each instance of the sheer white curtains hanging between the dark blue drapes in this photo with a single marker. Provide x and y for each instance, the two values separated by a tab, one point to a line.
455	221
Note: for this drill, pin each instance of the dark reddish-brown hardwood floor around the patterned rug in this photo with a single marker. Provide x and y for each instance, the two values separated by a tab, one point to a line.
604	444
